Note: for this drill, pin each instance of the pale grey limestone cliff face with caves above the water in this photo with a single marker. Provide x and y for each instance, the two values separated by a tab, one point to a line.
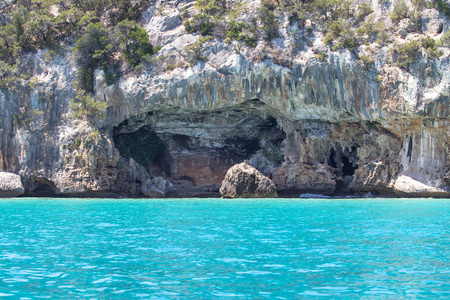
310	118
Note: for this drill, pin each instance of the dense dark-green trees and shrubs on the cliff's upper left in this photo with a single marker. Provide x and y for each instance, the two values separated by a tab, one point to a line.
101	31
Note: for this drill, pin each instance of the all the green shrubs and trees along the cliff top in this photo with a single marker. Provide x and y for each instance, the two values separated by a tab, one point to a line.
106	34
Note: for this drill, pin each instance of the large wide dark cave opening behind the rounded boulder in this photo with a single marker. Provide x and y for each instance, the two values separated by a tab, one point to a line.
196	148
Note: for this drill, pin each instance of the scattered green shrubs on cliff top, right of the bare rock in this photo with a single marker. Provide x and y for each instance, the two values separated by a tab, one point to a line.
344	25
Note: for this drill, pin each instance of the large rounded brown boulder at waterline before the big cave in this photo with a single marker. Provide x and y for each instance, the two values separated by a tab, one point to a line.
244	181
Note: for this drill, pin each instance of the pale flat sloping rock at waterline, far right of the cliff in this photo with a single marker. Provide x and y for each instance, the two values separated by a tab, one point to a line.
408	187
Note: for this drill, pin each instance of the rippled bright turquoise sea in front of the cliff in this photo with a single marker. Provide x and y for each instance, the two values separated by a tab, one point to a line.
224	249
